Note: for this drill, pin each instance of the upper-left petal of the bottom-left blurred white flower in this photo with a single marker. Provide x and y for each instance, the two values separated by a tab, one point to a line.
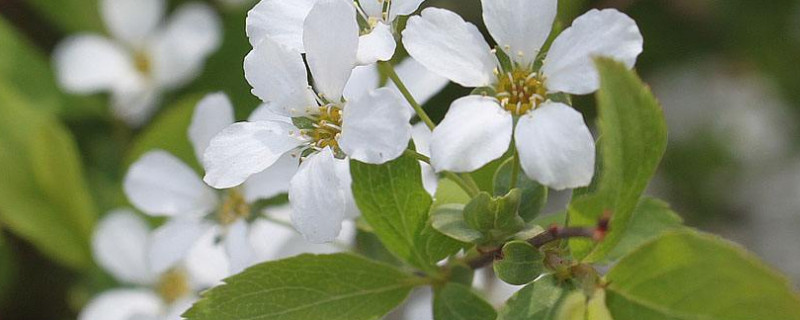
120	247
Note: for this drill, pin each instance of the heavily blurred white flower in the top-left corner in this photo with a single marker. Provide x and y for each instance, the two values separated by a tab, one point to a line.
145	56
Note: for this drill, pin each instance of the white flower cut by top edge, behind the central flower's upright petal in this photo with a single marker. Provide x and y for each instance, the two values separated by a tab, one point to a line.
282	21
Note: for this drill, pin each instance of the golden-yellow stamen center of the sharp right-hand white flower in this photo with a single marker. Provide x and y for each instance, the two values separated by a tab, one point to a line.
520	91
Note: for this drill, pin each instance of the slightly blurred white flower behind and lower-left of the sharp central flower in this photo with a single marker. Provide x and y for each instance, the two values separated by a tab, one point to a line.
161	185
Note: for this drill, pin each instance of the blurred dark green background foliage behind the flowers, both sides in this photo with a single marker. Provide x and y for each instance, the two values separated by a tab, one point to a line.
726	71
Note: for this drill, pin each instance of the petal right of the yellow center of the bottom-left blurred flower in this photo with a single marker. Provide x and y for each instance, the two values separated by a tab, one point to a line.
206	261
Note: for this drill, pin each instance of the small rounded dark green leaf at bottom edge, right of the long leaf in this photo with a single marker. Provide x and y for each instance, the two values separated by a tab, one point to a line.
456	301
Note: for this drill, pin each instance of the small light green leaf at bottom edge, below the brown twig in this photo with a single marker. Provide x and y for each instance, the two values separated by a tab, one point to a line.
539	300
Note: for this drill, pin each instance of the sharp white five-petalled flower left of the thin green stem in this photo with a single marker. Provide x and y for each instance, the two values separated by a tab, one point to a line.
372	127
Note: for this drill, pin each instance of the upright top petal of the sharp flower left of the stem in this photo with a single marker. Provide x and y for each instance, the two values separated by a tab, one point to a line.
330	35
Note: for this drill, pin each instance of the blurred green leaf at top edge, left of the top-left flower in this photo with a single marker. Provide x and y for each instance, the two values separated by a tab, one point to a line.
71	15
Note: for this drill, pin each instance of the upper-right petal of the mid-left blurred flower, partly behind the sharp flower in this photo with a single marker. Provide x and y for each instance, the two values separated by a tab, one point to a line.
272	181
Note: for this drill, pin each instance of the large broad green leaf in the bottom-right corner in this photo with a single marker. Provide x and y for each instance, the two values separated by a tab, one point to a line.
689	275
